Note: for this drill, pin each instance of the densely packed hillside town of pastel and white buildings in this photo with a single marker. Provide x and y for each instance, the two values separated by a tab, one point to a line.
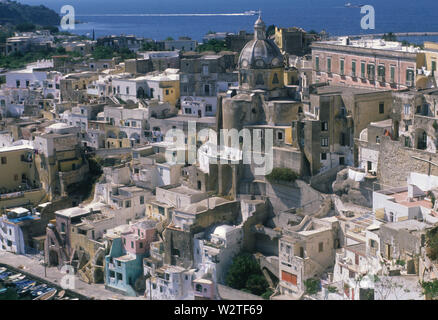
94	174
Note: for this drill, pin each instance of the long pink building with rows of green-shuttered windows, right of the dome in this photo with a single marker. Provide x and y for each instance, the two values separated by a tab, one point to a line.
365	63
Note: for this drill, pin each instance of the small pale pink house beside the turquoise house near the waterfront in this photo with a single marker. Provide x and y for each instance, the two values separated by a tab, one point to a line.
139	238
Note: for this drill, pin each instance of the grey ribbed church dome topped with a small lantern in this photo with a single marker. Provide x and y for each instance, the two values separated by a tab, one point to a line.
260	53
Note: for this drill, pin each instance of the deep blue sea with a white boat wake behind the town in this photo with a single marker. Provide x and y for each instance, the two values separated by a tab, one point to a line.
159	19
